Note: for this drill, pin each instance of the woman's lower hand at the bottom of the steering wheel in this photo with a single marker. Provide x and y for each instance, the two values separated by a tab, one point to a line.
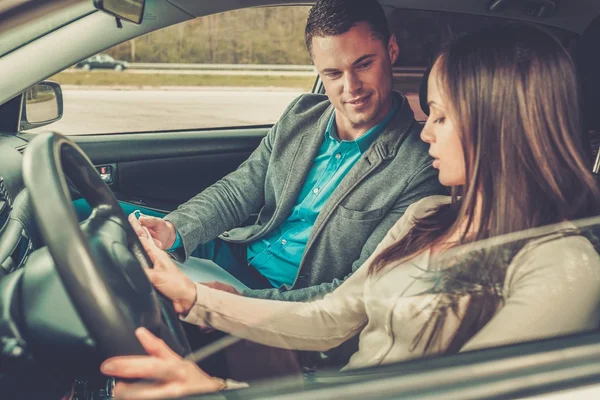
171	375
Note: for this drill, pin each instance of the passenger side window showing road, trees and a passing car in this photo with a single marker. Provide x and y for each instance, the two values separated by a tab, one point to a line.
238	68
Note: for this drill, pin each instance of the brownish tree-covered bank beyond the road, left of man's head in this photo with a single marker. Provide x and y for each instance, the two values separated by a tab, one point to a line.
270	35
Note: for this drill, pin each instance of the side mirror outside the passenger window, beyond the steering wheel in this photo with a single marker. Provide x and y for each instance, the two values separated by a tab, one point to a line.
42	105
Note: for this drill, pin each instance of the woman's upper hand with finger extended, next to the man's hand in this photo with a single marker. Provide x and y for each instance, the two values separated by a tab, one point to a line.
168	279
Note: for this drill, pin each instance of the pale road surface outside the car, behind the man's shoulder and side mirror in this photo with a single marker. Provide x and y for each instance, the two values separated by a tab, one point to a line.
100	110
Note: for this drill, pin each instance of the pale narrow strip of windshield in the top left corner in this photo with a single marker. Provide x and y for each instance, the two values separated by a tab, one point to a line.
15	38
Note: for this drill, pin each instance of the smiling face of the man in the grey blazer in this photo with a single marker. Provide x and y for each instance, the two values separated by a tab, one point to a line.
356	69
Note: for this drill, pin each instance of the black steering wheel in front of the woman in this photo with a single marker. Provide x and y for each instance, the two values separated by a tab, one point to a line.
101	261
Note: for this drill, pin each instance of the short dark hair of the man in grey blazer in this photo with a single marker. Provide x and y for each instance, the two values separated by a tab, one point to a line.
336	17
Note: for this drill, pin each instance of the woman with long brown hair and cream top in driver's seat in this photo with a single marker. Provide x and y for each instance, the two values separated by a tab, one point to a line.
504	133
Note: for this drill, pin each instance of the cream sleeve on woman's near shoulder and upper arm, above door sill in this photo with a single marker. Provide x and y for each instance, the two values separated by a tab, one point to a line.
551	289
